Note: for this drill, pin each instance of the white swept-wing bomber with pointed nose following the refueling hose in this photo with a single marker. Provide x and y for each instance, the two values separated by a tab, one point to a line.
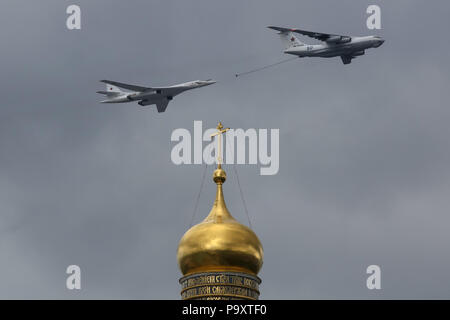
161	96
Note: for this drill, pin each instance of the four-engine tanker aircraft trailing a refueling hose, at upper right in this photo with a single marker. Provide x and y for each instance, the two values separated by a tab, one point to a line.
334	45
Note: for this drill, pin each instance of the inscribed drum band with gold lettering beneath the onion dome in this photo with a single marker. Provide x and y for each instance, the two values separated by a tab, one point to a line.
220	286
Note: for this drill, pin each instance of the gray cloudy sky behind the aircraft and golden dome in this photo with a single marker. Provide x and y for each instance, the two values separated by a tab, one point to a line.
364	148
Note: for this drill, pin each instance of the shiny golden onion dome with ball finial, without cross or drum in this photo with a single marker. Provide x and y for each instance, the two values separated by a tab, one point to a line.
219	242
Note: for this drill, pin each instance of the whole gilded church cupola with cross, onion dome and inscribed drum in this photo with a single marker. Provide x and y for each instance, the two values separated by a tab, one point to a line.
220	257
